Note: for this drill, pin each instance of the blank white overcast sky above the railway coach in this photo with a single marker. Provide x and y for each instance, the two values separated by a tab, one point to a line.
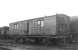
17	10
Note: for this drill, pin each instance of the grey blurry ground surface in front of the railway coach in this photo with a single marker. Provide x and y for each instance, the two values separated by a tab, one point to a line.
8	46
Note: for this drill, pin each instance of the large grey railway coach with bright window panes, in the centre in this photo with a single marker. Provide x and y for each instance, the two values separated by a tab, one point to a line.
44	30
